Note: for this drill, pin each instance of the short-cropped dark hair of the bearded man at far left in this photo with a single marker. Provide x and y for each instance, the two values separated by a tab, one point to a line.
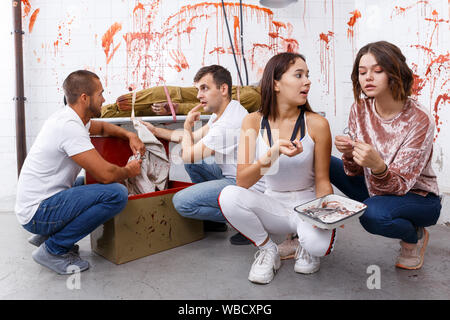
77	83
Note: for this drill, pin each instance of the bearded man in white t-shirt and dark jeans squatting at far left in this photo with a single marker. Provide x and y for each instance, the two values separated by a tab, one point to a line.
51	202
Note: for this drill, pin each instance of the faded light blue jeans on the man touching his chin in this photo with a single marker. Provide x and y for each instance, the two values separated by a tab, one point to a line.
200	200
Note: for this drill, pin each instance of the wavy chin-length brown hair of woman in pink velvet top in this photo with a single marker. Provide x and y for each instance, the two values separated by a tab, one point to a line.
393	62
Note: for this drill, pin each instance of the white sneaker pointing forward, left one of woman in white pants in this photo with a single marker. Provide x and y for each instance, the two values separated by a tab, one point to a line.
267	262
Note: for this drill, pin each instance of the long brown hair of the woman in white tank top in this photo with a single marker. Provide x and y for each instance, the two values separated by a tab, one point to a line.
274	70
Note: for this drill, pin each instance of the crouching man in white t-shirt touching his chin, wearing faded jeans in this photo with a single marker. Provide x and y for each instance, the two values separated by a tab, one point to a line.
214	145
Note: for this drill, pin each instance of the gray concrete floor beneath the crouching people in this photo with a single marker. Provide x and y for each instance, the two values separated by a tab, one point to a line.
212	268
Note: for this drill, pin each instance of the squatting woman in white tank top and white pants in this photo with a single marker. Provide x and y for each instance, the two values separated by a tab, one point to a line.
290	145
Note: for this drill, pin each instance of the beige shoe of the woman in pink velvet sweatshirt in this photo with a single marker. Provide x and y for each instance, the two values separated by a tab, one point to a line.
412	254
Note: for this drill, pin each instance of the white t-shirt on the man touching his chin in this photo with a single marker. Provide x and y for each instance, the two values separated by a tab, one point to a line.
223	138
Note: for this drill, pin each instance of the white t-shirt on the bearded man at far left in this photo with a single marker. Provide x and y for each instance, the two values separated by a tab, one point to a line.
48	168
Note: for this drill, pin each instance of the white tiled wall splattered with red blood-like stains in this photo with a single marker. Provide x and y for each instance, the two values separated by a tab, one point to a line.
167	41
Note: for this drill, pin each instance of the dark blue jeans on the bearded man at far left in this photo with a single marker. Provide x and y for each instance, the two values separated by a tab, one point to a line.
72	214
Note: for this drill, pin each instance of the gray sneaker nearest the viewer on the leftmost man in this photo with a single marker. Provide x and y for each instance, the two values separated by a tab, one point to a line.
67	263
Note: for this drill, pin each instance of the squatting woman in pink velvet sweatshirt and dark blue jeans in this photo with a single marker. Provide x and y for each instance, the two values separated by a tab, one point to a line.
386	156
